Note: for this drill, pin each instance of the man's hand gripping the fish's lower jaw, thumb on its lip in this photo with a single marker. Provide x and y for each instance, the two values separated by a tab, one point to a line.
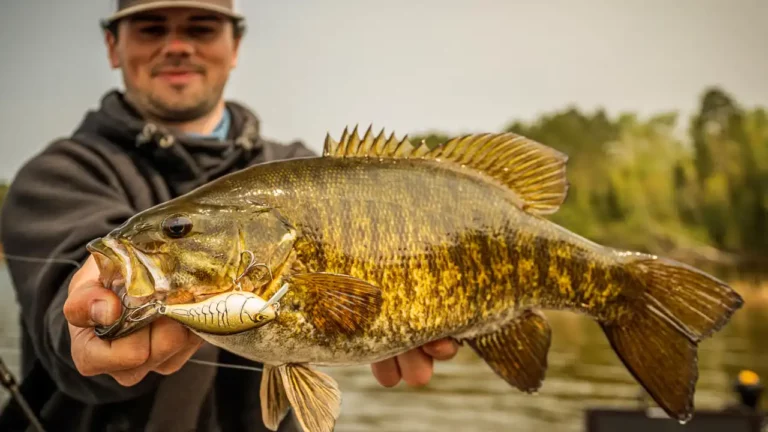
163	347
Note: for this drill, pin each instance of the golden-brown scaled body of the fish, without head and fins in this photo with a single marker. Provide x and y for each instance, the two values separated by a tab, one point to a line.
452	256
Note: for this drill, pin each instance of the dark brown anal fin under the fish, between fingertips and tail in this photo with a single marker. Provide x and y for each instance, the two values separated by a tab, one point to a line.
518	351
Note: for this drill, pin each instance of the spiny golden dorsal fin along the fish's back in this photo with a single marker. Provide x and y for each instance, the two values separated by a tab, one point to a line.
533	171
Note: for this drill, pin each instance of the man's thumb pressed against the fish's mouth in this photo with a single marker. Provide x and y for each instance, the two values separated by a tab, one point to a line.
89	303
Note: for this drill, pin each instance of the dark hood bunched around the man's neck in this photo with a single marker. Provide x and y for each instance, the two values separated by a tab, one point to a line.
187	161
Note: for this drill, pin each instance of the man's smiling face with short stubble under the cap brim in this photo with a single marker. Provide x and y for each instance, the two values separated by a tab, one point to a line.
175	62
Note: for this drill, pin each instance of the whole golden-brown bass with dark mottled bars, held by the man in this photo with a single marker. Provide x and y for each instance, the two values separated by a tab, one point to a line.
380	245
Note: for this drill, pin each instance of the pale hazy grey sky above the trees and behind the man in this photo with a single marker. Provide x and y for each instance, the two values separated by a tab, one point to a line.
308	68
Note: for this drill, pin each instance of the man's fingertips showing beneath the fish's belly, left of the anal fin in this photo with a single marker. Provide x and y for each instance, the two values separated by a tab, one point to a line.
414	366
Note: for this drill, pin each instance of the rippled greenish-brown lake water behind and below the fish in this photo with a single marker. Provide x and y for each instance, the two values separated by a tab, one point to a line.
466	395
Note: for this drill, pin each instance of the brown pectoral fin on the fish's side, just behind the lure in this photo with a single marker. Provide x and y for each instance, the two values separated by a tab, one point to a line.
338	303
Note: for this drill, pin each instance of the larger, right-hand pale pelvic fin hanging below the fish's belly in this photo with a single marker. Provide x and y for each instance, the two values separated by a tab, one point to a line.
314	396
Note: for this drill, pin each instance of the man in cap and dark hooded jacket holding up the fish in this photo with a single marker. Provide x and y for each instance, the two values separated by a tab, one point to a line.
170	132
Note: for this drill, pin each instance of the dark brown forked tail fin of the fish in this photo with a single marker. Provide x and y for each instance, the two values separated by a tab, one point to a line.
657	339
